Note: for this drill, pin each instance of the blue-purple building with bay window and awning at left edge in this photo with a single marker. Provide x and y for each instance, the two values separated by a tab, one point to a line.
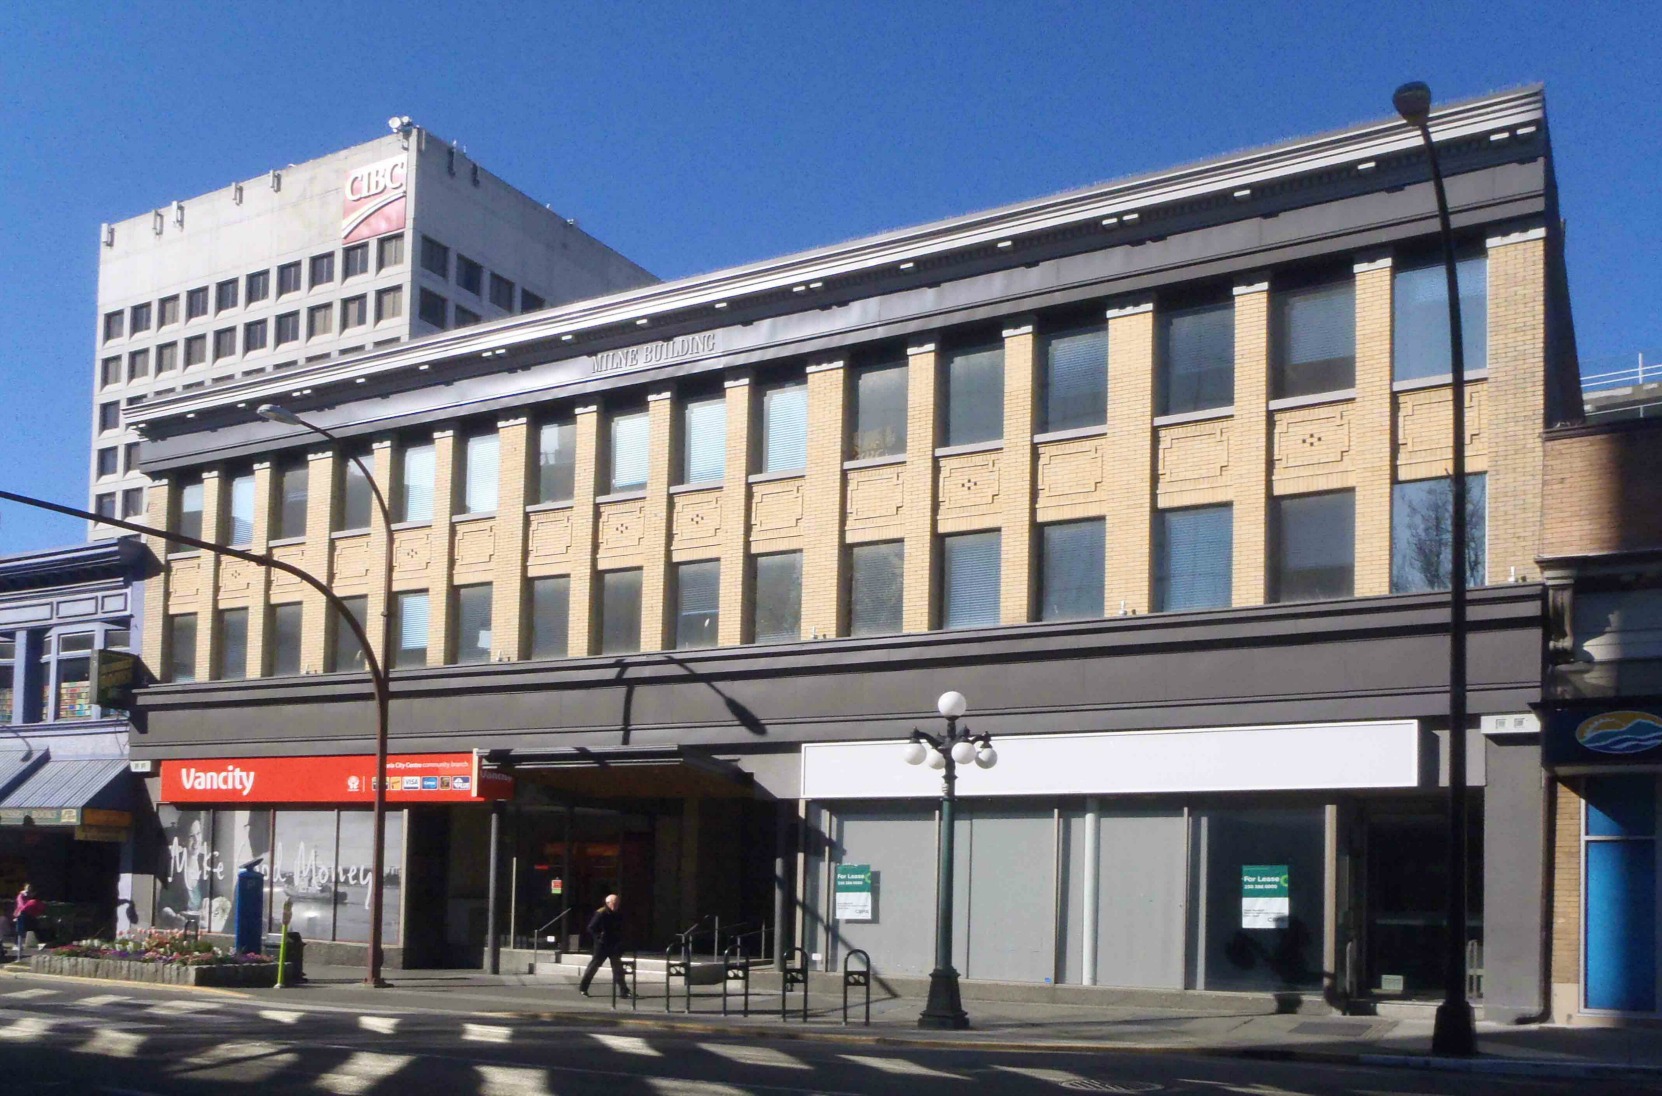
74	821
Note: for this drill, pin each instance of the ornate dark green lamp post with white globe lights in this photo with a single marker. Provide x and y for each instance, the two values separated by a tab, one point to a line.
958	748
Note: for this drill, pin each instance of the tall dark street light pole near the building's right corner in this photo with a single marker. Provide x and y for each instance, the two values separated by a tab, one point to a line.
1455	1032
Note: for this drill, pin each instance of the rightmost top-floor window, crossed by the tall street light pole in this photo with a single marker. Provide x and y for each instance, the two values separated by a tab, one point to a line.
1420	318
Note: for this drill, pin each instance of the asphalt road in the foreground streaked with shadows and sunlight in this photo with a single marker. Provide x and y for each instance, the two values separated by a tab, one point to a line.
119	1040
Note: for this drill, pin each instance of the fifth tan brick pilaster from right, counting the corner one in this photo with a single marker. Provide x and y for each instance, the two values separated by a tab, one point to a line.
1016	478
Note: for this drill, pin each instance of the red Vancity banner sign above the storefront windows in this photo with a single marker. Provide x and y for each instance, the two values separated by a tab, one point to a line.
411	779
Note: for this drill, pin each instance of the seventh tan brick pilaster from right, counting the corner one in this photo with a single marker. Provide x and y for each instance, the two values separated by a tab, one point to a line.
824	610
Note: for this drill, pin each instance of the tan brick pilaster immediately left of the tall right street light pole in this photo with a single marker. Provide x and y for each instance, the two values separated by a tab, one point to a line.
1372	433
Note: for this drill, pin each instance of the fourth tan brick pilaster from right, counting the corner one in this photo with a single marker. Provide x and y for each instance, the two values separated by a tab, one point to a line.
1129	460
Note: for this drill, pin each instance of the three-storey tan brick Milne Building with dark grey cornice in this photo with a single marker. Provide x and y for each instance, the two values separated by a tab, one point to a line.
1156	473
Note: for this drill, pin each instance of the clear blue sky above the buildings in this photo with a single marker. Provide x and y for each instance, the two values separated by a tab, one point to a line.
699	136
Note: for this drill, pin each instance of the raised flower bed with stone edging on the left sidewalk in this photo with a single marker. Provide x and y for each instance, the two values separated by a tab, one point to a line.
157	957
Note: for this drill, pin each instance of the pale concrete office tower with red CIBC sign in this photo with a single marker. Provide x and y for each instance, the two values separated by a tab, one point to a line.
368	247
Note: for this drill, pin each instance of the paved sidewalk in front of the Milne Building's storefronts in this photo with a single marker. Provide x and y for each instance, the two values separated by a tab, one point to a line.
1010	1025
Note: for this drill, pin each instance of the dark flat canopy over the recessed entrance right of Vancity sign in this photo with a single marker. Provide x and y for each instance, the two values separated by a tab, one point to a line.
627	771
